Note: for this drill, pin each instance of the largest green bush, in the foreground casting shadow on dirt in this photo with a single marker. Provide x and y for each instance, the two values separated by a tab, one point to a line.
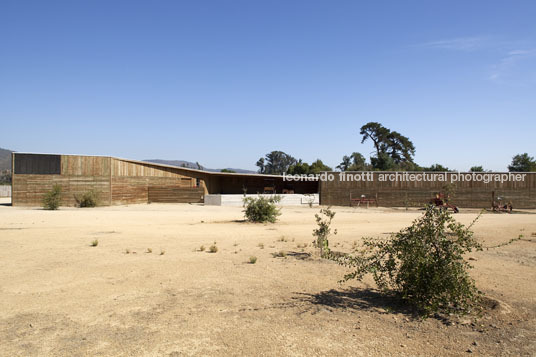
422	263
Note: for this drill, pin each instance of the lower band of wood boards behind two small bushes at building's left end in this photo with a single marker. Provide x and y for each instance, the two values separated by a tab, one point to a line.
28	190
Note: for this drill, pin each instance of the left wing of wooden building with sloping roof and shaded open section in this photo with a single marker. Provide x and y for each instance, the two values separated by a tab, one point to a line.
123	181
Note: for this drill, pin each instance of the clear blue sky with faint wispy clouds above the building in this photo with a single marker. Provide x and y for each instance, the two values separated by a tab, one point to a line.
224	82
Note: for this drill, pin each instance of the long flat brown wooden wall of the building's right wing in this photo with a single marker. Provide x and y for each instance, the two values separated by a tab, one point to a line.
475	194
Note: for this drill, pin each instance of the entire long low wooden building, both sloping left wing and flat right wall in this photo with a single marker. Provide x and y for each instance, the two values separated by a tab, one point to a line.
122	181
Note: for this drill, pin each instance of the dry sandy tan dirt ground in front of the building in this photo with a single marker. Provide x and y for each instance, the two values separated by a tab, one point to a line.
62	297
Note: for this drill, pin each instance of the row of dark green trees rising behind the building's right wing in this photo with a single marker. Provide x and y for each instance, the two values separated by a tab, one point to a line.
393	152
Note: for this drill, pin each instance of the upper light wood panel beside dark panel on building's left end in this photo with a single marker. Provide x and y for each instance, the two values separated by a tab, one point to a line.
85	165
